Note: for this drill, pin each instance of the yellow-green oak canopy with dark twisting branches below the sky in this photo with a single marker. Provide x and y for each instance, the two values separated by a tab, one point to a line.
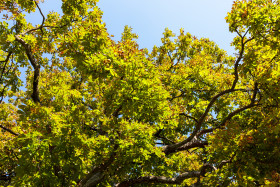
81	109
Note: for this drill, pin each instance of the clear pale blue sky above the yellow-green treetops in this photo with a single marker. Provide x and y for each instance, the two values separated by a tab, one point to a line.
149	18
